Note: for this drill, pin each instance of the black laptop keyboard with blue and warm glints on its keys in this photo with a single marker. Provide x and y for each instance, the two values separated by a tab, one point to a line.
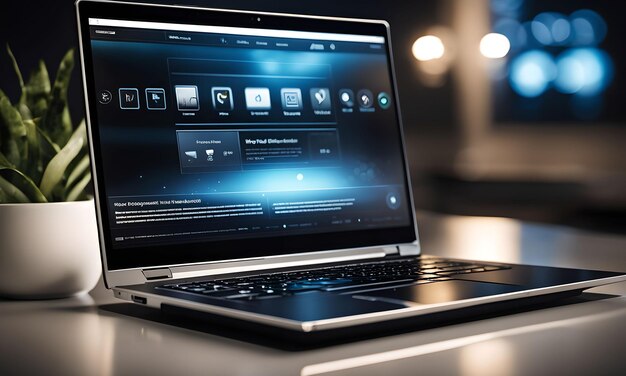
335	278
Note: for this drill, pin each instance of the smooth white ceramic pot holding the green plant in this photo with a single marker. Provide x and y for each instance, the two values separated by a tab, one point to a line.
48	250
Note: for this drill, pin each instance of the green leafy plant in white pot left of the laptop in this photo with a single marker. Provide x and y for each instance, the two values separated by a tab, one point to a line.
48	233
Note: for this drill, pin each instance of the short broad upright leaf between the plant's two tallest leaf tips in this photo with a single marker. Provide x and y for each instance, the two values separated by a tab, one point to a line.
36	92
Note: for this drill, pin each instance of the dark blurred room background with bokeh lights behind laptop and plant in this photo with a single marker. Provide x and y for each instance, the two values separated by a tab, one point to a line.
511	108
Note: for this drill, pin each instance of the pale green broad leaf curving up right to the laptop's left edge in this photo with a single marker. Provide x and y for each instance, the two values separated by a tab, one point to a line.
55	171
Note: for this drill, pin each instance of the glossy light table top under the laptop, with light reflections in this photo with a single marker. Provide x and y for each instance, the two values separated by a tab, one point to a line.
585	336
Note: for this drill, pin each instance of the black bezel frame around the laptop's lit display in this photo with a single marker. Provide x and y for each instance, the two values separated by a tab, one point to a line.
190	253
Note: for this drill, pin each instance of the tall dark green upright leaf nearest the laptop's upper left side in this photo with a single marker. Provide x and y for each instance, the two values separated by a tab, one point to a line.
57	121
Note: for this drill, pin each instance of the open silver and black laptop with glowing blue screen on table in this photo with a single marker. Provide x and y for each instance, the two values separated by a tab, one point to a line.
250	167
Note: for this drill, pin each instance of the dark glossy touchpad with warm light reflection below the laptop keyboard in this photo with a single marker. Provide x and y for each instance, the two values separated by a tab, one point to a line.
438	292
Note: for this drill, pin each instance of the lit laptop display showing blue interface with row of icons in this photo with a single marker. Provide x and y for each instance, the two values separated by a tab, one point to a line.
210	134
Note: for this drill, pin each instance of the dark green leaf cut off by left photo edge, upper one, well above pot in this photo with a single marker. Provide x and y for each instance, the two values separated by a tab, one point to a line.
12	132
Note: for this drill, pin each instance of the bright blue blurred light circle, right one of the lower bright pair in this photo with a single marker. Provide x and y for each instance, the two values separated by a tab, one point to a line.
583	71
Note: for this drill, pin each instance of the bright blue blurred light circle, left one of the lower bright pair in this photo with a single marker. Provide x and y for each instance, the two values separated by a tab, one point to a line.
531	73
